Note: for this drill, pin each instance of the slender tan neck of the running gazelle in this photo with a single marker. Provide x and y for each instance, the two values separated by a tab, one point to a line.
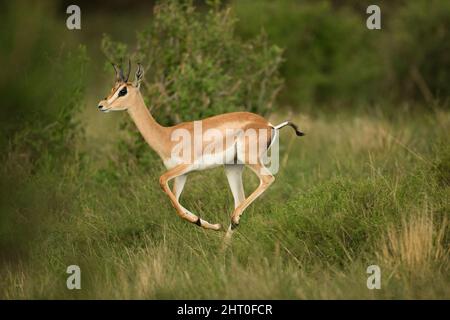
154	134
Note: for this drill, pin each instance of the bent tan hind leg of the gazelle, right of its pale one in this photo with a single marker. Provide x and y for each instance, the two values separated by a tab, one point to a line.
265	180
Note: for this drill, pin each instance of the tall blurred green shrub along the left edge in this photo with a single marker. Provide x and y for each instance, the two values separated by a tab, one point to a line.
42	88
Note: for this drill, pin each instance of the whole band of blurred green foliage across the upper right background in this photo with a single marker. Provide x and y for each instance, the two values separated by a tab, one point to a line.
333	59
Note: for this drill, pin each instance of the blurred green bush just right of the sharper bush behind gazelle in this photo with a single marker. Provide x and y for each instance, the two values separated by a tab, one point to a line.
330	54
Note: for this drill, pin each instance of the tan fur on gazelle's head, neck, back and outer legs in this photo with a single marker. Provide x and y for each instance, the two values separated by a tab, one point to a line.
159	138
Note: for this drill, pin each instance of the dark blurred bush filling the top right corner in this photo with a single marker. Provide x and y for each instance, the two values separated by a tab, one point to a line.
418	62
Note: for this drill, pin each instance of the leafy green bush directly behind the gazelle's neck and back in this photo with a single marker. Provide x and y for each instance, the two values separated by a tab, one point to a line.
196	67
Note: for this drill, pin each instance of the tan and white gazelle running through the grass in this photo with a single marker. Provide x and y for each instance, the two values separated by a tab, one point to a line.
237	153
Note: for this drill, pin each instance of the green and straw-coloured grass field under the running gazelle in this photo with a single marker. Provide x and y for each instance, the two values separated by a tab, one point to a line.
358	189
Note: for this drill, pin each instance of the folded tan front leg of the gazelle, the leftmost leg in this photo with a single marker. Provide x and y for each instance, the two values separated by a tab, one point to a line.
182	212
